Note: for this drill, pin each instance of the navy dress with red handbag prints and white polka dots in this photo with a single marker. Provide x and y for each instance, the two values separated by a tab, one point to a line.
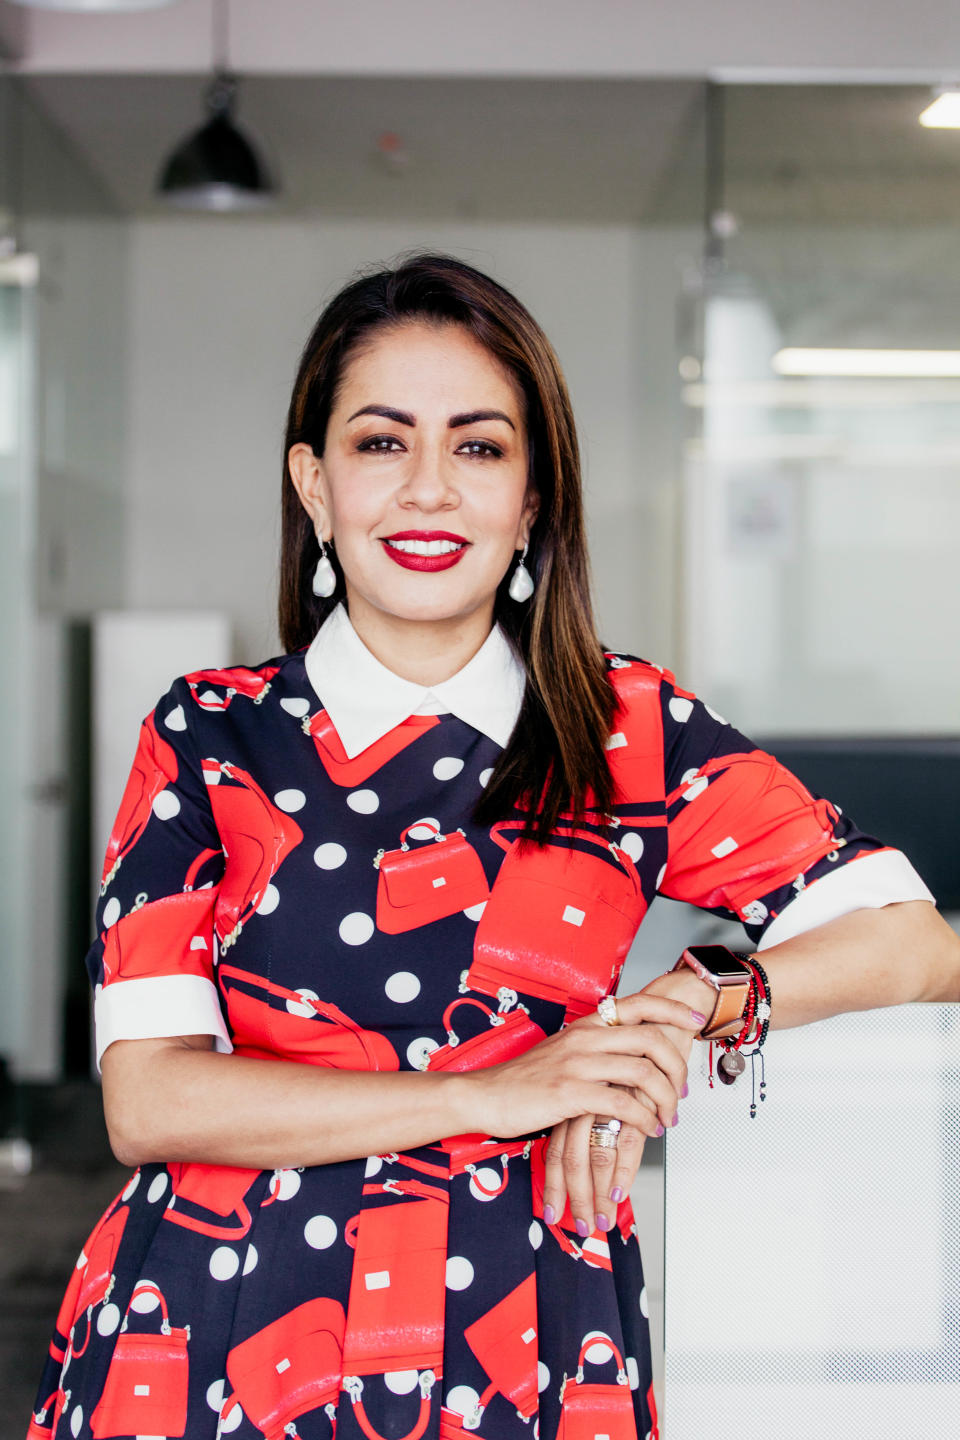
348	912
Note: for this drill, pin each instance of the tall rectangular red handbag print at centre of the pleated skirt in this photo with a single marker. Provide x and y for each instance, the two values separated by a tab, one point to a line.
398	1288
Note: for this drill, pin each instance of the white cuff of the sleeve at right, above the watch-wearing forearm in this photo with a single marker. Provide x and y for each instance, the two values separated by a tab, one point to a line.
877	879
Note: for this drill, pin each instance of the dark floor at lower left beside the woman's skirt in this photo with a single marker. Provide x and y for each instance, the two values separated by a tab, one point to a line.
44	1222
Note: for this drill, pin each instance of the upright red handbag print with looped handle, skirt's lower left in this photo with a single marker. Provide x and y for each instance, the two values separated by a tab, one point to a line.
146	1387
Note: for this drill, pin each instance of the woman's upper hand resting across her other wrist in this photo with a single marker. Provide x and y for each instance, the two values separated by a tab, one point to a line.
591	1068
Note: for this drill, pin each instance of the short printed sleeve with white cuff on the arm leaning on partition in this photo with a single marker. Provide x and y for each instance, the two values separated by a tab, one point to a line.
749	842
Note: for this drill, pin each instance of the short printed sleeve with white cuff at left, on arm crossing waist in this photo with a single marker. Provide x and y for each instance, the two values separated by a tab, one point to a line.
152	963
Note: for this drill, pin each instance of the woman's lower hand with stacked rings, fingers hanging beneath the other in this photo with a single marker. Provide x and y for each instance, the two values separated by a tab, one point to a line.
598	1179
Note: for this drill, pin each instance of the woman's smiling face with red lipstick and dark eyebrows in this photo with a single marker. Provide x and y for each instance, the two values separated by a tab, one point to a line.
424	479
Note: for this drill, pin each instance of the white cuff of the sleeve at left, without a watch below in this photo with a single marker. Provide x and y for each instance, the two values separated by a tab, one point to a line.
156	1007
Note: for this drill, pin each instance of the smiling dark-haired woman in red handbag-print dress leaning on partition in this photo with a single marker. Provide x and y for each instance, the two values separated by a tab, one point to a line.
362	914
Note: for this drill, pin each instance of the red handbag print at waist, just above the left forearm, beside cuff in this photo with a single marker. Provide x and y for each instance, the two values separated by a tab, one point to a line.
280	1023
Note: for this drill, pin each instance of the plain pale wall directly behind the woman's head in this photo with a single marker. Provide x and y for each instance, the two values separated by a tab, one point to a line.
218	316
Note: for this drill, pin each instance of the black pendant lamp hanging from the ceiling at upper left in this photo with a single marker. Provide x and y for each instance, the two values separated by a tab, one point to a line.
217	168
